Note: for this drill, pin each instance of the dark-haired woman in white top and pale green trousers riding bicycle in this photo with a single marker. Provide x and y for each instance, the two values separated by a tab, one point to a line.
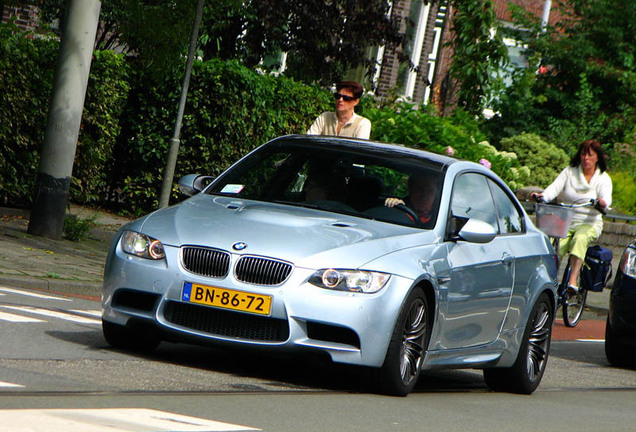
584	179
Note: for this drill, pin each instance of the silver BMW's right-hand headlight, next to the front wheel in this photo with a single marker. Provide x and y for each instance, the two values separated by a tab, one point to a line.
350	280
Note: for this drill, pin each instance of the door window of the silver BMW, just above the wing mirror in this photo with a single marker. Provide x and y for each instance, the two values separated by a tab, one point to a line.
472	199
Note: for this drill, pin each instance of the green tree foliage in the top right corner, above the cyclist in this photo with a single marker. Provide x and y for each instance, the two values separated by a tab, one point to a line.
584	83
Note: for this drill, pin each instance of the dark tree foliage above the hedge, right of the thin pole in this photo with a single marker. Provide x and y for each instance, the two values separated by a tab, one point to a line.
322	39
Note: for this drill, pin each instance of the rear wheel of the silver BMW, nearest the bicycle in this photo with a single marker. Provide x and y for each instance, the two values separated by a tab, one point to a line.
524	376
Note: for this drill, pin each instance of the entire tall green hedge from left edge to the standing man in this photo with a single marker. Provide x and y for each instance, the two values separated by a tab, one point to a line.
128	121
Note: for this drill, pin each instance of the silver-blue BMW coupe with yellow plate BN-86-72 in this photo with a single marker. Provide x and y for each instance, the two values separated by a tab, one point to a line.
376	254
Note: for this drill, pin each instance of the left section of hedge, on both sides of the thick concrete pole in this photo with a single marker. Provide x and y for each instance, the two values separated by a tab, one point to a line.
27	73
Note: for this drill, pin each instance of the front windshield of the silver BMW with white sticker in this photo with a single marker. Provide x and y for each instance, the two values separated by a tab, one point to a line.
339	179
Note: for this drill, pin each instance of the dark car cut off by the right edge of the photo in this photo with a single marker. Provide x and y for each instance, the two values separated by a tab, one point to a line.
620	332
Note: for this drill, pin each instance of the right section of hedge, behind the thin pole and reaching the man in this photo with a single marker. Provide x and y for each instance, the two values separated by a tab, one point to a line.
230	110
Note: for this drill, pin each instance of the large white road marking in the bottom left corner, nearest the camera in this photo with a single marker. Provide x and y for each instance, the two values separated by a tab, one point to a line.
108	420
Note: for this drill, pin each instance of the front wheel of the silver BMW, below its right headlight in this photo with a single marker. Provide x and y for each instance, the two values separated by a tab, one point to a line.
407	349
